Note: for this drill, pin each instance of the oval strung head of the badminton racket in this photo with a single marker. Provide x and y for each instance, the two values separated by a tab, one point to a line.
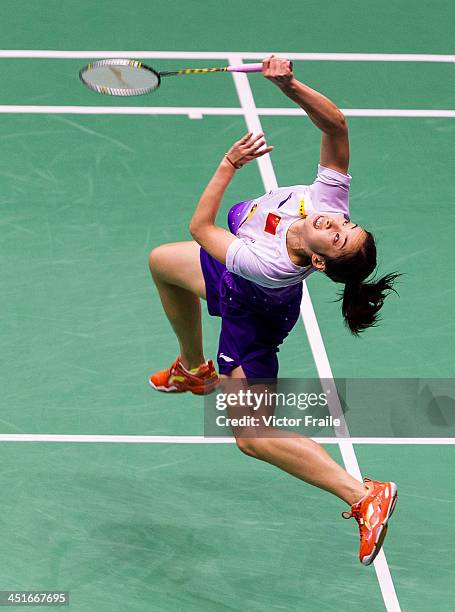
120	77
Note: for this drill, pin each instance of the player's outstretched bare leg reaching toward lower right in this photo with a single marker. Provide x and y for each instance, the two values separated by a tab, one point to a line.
301	457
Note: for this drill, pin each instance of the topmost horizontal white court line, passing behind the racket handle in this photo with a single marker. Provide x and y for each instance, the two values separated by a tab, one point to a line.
224	55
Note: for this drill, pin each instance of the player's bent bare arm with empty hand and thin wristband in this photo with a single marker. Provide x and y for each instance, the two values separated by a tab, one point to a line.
214	239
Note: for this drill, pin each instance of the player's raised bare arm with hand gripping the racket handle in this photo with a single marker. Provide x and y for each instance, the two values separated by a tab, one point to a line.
322	112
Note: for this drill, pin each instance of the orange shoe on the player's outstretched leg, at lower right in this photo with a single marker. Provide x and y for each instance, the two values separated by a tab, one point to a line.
372	513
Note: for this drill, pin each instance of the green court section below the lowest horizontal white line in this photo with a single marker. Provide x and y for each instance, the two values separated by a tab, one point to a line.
200	527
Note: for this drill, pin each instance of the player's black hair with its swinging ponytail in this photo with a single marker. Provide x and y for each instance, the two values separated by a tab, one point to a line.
361	301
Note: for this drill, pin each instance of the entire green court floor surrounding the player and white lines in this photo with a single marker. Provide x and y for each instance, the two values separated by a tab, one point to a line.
84	198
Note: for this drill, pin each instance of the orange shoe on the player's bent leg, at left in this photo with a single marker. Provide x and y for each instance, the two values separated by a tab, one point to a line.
178	379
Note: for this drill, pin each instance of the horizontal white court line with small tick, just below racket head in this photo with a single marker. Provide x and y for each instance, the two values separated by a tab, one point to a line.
195	112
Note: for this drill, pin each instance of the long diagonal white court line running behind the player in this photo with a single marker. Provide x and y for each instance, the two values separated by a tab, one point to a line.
315	339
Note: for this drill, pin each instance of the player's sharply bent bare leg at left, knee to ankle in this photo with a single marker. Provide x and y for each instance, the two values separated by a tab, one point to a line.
177	273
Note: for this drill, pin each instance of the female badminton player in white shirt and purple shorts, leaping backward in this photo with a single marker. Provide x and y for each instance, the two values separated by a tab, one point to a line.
251	277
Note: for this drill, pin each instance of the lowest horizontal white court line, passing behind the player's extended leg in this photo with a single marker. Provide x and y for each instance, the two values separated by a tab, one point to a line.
125	439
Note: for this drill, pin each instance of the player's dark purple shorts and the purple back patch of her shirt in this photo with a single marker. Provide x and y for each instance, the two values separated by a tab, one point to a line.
254	320
